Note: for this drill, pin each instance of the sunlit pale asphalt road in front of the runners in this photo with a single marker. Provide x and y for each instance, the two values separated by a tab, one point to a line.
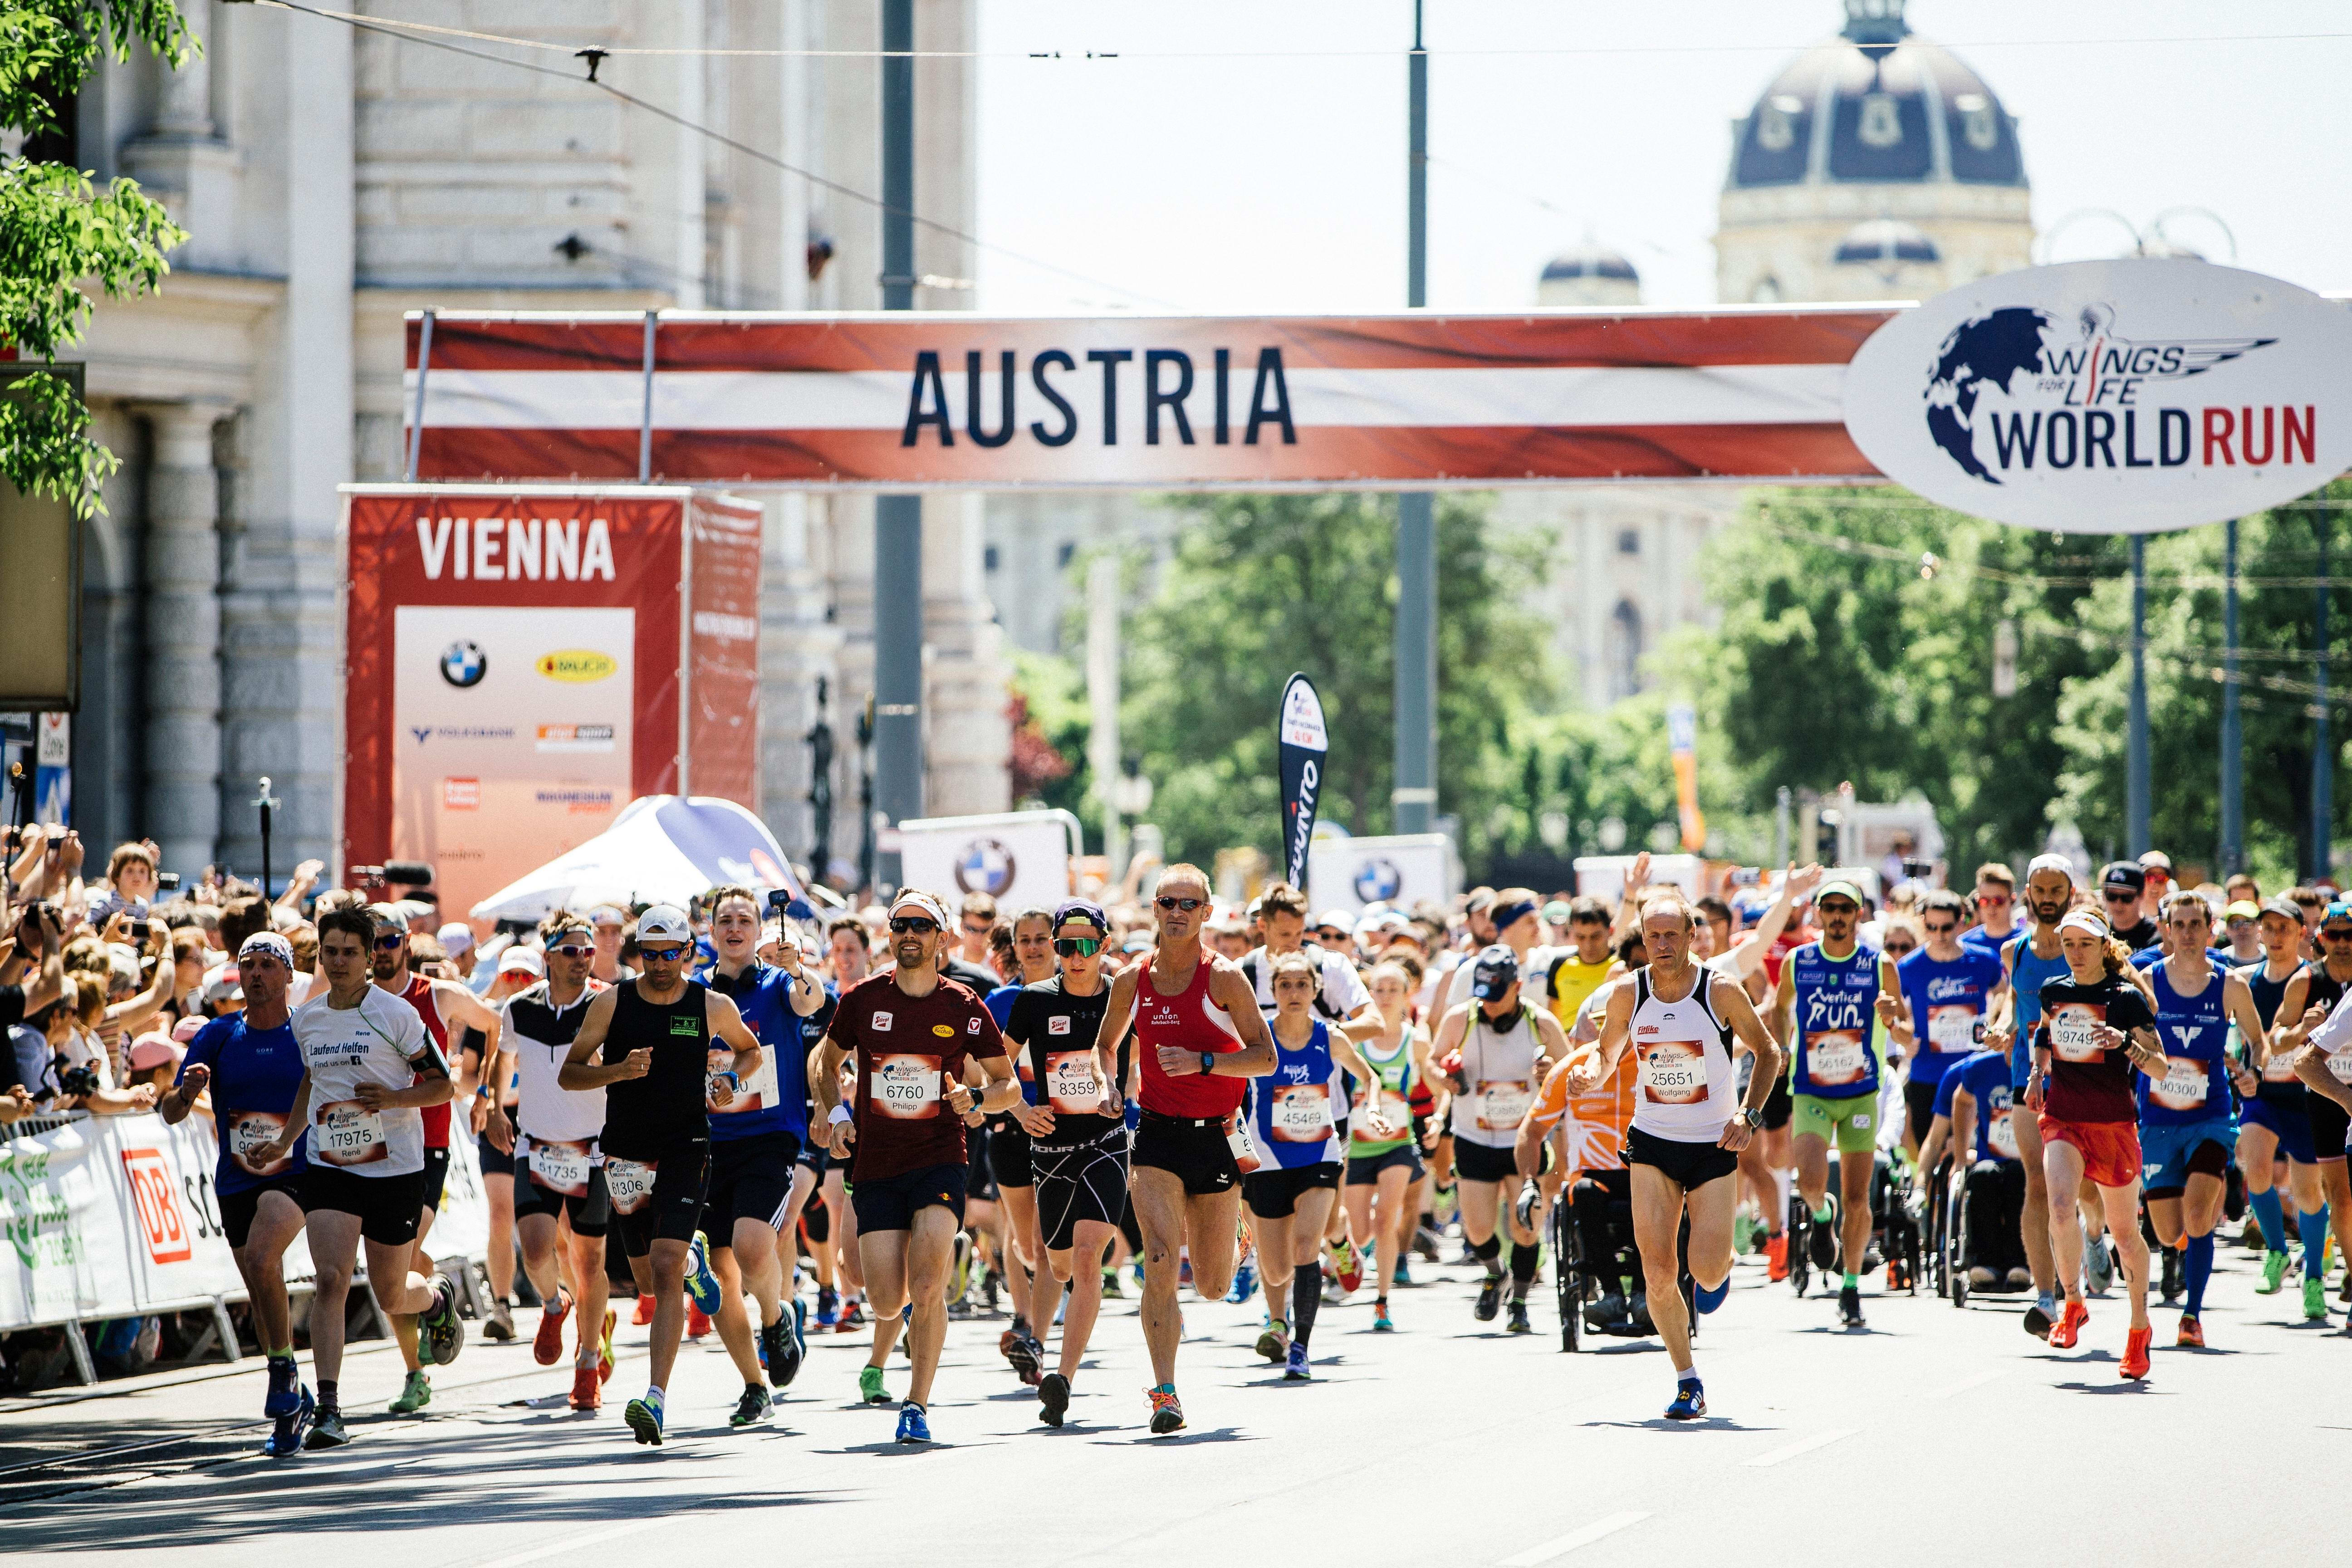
1937	1435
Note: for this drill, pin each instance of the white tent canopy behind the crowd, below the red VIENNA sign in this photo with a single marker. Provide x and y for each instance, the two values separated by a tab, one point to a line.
660	850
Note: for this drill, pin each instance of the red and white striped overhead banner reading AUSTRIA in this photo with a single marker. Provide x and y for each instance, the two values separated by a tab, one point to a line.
1163	403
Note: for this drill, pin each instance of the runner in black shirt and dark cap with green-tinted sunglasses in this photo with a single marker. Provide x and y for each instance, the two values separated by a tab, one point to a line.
1076	1139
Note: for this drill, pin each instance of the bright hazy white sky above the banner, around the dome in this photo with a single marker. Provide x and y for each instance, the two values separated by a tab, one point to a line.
1250	156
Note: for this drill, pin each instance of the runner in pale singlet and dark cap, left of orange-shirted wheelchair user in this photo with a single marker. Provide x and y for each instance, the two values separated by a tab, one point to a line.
1495	1050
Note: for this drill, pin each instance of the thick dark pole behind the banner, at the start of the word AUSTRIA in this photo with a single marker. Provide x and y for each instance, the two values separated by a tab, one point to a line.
897	518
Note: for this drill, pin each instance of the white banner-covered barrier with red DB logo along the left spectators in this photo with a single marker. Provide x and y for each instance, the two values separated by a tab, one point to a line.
114	1217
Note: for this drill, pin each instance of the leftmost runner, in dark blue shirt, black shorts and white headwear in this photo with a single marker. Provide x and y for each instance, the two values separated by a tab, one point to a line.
253	1068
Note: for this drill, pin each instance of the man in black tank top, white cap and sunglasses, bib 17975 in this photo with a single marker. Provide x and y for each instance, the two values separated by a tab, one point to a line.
657	1036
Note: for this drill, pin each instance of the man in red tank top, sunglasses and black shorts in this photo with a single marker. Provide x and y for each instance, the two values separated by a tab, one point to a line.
1198	1036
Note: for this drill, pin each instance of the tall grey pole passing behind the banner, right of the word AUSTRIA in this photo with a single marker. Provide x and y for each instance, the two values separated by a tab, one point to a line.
1415	798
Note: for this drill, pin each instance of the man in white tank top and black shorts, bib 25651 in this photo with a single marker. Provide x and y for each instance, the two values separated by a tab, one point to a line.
1685	1134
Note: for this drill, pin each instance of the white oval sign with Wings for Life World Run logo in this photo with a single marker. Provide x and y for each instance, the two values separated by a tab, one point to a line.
2111	396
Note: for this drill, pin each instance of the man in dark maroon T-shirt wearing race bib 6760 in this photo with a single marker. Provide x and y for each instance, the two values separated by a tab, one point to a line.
911	1033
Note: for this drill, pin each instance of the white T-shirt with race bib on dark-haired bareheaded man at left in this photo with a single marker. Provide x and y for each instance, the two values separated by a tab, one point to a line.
380	1043
